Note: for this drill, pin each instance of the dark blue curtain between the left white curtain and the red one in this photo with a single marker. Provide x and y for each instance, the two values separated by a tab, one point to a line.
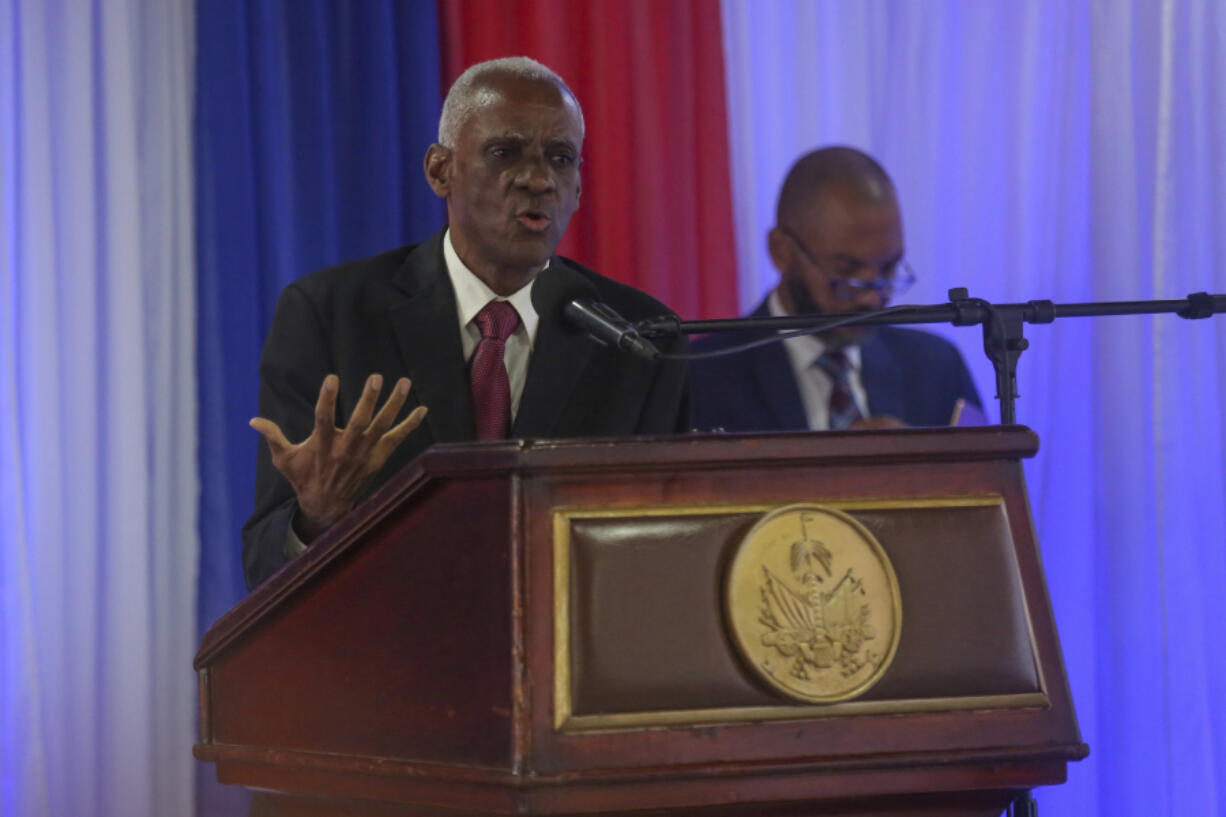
313	118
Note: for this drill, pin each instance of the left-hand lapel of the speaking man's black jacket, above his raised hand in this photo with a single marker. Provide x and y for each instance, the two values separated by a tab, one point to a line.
428	338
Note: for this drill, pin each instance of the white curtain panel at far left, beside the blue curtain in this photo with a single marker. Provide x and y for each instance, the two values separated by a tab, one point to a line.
99	543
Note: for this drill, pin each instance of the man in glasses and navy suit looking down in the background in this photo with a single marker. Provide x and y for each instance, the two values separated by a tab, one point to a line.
838	246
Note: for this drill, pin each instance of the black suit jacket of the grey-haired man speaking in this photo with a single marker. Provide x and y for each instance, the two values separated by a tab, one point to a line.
395	315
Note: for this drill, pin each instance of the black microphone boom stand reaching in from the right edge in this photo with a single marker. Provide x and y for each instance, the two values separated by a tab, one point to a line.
1003	323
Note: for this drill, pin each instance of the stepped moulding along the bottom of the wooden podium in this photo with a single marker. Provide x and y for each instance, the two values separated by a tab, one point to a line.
490	792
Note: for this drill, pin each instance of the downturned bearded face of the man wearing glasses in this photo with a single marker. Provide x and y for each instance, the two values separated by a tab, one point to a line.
843	235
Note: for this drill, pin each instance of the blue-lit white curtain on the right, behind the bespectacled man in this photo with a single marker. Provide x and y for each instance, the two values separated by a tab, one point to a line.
1073	153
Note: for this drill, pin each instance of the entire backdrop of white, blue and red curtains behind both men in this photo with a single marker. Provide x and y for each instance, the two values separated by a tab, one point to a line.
1071	152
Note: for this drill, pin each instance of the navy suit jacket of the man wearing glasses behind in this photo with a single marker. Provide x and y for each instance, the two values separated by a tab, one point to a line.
909	375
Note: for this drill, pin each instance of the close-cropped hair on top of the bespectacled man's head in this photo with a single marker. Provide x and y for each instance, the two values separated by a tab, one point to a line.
855	174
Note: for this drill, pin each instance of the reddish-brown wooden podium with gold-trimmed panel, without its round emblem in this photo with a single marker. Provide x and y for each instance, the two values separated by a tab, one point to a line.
540	629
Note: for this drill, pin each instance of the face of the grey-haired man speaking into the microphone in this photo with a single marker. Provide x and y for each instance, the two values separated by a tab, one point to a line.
512	183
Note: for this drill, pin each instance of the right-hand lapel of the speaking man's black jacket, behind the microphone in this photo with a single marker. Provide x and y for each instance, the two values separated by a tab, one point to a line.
560	356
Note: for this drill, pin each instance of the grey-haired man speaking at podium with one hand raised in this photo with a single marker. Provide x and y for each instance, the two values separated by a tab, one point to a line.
468	324
